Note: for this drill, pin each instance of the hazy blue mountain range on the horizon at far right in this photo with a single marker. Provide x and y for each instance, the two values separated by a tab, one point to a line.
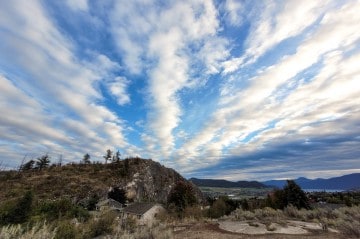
346	182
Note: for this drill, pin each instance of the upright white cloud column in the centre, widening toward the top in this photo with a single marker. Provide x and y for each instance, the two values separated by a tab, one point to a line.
172	37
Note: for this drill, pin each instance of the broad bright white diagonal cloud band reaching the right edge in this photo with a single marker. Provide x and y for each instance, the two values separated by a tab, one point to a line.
331	93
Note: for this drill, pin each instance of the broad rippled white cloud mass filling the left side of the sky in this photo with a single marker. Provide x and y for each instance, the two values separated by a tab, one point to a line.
64	86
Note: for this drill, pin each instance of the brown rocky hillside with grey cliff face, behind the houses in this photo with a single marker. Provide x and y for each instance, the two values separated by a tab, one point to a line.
143	180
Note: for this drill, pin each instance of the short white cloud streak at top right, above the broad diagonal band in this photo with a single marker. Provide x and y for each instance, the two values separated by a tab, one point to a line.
273	27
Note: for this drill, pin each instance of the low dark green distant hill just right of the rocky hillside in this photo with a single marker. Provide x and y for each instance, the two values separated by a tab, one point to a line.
220	183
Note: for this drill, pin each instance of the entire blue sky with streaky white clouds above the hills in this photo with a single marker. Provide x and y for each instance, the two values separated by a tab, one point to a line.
231	89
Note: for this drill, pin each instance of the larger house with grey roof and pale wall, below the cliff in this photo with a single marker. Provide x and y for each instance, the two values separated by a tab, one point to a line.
145	213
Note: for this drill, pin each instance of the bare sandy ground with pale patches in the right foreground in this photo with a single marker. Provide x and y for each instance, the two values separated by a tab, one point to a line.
230	230
